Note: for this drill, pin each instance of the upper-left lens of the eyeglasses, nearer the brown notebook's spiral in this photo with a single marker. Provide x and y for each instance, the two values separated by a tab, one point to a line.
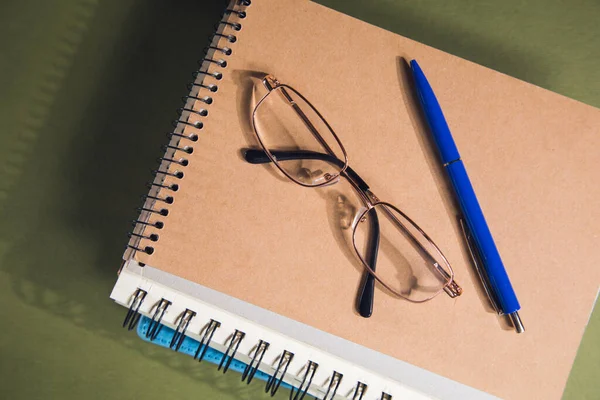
302	144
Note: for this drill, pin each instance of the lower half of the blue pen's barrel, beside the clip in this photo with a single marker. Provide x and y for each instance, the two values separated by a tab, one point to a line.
482	237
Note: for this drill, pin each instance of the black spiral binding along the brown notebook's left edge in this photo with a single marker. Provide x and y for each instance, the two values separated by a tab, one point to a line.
181	139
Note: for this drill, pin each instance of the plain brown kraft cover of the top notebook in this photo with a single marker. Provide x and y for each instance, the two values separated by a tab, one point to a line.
532	157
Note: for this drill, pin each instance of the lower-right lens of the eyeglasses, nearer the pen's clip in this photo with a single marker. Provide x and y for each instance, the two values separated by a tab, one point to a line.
399	254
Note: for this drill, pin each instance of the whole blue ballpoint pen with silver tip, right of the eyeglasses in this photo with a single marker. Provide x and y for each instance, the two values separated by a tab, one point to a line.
477	234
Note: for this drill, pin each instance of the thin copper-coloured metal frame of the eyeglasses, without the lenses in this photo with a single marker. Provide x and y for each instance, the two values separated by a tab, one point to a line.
369	199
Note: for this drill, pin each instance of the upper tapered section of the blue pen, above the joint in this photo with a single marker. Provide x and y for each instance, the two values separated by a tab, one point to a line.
435	118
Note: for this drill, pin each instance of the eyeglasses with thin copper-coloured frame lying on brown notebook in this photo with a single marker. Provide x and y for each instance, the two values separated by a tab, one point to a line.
393	249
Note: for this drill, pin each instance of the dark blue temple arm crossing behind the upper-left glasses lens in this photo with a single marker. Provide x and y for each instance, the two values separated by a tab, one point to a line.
254	156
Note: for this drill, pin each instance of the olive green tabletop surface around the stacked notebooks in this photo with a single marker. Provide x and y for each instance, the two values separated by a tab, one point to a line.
89	87
